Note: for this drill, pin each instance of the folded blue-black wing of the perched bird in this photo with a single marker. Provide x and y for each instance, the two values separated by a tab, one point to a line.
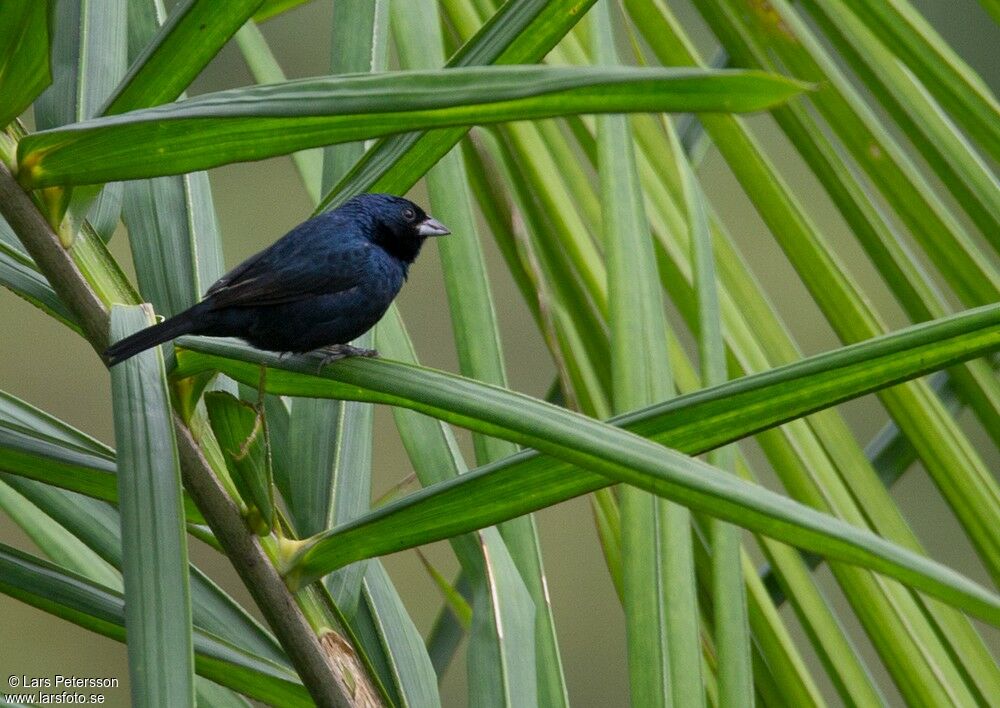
287	272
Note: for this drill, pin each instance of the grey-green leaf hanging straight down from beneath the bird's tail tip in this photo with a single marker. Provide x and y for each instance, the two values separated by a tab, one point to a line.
158	604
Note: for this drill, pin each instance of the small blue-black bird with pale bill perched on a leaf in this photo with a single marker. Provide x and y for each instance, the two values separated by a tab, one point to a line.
324	283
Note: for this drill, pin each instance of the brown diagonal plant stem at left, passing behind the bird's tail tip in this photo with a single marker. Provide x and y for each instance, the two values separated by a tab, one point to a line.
320	665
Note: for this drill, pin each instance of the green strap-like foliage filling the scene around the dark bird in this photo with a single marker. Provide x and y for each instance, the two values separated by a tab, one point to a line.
600	222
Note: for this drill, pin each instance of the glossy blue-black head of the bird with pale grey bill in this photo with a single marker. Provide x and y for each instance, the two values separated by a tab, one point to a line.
399	226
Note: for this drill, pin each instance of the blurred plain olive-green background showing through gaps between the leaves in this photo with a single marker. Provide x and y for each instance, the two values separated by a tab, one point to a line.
256	203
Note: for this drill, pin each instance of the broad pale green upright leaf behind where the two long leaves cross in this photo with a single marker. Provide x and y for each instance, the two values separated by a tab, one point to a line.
658	581
